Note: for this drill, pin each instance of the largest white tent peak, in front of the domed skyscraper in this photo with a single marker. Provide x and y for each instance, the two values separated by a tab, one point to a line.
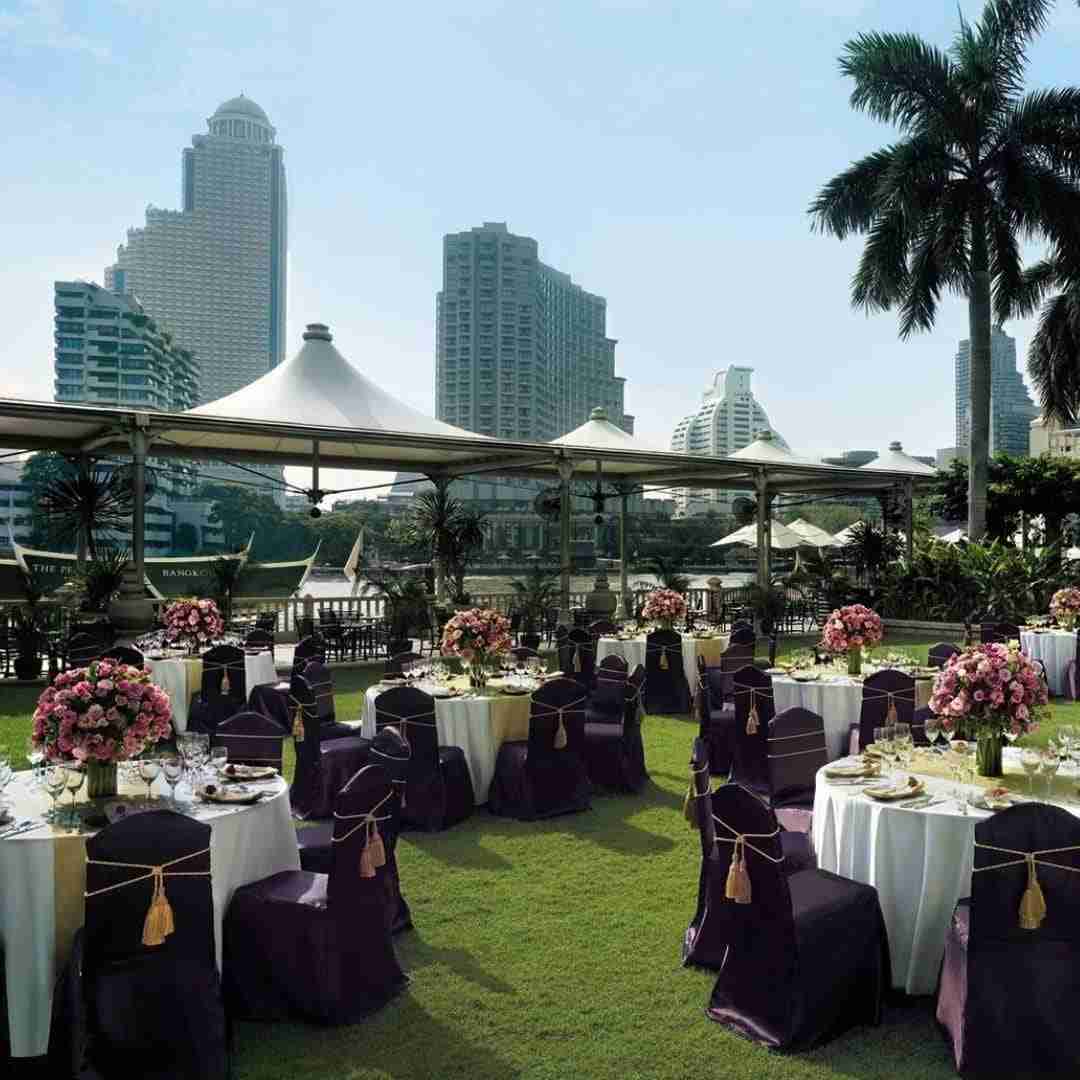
319	387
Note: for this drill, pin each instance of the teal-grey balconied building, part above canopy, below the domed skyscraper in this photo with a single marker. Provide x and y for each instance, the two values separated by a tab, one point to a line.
111	353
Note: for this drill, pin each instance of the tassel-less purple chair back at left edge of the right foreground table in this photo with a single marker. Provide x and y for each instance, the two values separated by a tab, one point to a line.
796	751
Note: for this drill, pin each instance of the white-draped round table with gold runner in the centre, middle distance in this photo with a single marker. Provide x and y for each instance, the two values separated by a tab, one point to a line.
480	725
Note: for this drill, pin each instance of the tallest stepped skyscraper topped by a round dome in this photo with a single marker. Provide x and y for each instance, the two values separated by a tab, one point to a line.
214	273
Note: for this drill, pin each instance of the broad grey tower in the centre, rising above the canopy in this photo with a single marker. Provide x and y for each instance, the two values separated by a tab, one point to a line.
522	352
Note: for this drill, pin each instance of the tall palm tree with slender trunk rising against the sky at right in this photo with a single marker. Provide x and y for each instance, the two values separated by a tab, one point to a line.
980	165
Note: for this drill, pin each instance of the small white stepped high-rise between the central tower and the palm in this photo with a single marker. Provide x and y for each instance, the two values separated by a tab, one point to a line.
730	418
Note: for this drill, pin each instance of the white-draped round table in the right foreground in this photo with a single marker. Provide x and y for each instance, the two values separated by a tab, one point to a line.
919	860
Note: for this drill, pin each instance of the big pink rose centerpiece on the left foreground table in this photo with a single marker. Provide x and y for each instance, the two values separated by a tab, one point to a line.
101	714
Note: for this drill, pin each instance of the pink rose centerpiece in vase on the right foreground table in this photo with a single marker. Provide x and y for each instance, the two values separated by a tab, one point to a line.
985	693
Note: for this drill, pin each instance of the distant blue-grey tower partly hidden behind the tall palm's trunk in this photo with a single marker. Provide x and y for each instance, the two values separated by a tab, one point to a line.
1011	407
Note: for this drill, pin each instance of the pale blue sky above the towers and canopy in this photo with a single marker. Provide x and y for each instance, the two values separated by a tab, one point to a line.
663	156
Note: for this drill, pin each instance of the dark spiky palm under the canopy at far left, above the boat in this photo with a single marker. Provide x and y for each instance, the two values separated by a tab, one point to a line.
86	502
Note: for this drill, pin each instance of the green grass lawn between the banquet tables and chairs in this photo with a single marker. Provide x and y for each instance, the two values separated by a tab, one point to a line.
552	951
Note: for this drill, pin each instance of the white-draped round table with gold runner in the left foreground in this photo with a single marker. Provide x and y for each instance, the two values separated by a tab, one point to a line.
44	875
